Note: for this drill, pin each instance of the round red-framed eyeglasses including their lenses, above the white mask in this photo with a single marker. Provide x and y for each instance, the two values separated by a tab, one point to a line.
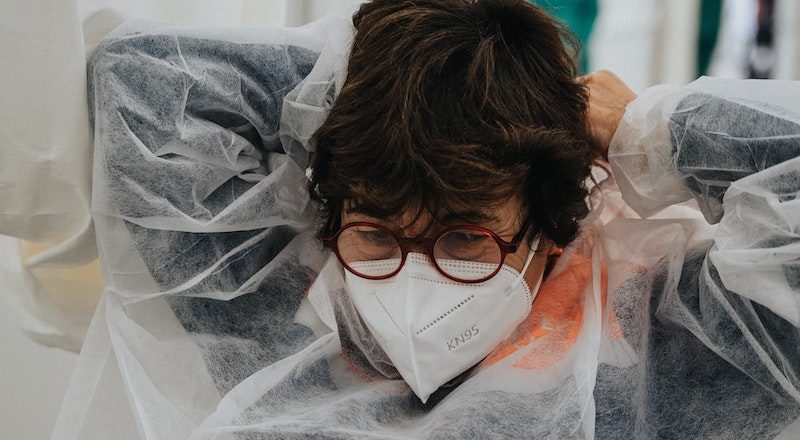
375	252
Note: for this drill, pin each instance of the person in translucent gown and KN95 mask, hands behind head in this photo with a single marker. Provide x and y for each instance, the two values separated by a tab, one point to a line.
418	222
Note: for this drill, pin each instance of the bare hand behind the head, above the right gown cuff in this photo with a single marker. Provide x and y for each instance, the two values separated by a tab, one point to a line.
608	98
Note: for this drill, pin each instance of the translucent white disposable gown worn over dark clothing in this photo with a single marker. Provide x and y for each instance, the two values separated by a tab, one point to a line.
223	317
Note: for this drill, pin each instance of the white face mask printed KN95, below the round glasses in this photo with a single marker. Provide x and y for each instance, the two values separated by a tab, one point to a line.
433	328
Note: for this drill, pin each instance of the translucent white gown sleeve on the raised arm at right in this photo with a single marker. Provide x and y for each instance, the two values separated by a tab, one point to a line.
734	146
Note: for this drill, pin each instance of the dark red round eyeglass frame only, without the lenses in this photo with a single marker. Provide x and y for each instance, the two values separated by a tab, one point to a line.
506	247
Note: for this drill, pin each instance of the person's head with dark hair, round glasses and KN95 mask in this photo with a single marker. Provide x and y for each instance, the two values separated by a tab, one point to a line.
463	146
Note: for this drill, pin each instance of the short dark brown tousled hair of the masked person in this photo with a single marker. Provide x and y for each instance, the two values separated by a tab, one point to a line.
457	106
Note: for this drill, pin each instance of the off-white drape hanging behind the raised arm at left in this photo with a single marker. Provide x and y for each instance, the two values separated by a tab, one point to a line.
49	272
